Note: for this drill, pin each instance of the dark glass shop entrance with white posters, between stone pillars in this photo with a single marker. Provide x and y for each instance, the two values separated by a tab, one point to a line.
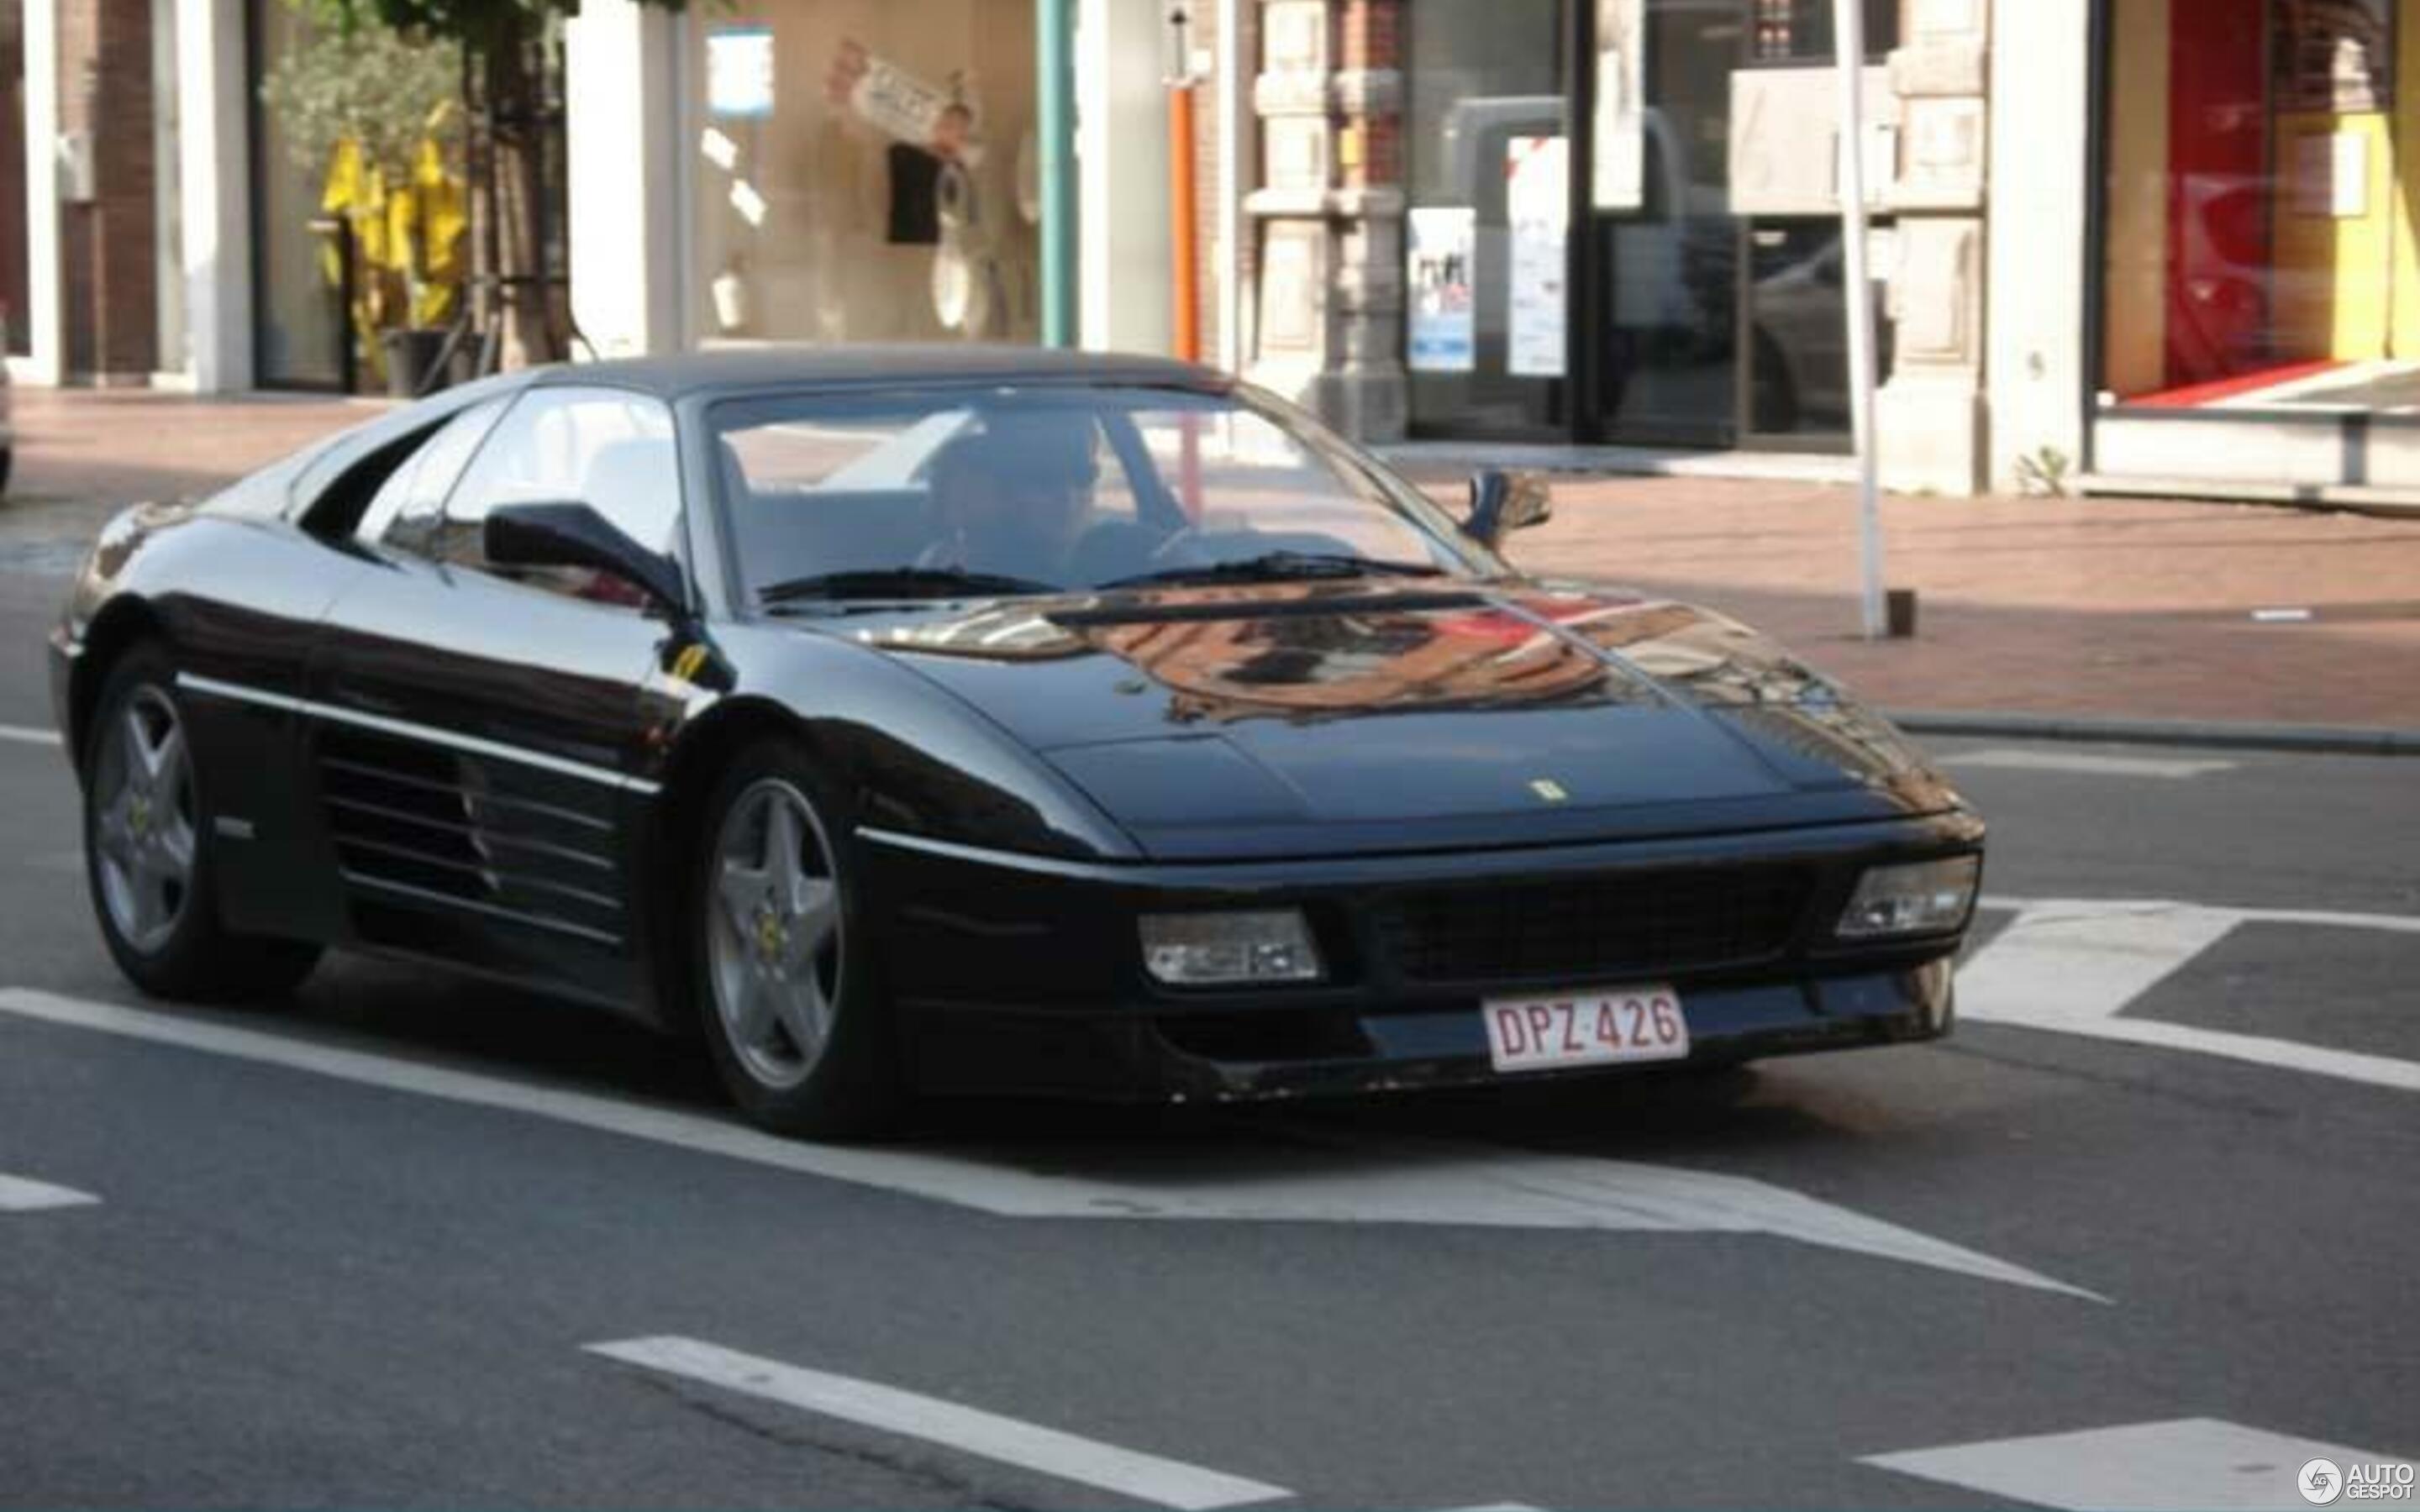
1676	308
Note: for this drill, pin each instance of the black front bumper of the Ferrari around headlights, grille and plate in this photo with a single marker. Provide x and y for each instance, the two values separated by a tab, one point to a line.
1020	974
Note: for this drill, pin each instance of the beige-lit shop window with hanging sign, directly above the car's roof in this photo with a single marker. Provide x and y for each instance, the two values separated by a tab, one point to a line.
863	173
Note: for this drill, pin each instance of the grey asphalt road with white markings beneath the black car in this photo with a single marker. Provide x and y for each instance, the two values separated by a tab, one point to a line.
427	1242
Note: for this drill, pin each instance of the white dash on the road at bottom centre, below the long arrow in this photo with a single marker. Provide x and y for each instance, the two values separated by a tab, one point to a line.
972	1431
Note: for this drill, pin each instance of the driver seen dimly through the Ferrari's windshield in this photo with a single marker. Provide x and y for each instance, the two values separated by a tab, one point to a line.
1015	497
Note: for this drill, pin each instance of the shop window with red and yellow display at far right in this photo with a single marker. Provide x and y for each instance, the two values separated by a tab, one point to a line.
2259	243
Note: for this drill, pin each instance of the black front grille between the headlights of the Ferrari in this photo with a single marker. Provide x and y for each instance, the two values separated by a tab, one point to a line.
1596	925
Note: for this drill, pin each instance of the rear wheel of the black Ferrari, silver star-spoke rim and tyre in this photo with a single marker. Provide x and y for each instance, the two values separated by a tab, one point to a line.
149	858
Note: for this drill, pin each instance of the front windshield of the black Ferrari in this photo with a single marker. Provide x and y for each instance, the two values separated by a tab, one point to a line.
1049	490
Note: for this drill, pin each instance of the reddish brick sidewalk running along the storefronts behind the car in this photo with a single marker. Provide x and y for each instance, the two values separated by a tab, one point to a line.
2044	606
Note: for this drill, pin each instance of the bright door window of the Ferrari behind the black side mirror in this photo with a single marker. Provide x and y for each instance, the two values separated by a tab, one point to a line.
606	449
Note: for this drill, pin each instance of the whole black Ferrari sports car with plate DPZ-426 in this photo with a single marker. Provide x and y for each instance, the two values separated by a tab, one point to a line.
952	720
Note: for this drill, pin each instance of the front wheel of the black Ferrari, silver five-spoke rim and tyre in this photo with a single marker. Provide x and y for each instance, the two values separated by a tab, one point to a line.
783	971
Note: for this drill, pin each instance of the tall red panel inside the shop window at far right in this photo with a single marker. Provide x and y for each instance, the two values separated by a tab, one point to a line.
2218	192
